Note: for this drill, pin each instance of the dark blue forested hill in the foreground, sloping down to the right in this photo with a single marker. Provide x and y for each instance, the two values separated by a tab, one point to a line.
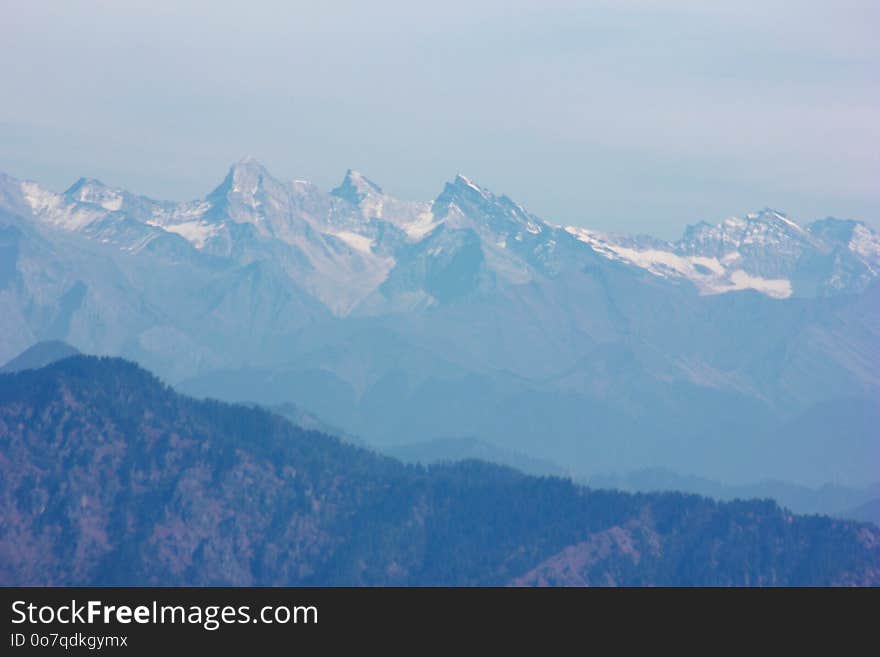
107	476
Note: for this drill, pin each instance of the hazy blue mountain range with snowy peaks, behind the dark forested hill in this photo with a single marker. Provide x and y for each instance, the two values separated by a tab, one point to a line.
747	349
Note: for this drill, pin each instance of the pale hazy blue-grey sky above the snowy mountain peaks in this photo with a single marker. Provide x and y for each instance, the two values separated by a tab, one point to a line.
620	115
